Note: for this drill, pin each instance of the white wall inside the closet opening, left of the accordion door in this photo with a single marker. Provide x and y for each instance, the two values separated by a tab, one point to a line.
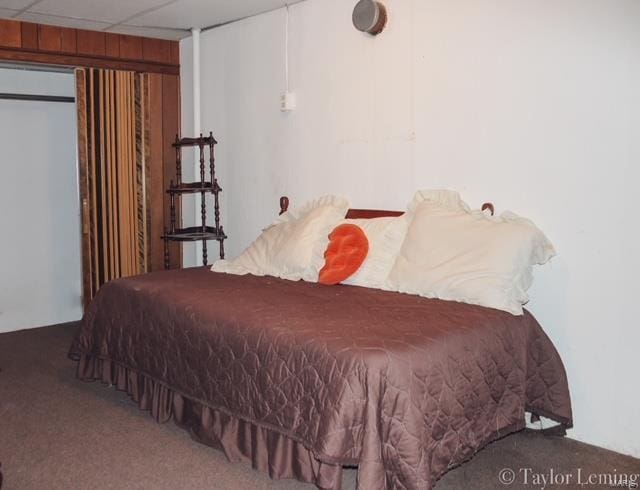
40	261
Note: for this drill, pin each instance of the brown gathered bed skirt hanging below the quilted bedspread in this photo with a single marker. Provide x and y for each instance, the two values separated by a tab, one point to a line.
266	450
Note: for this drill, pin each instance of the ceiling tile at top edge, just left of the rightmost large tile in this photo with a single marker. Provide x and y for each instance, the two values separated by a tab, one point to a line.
101	10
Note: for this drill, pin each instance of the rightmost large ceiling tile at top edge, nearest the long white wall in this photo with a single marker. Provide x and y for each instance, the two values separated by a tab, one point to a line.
204	13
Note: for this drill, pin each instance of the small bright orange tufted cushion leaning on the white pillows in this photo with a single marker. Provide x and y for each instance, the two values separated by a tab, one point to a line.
347	249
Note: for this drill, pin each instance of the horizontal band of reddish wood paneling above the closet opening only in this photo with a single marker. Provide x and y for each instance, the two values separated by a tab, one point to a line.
39	43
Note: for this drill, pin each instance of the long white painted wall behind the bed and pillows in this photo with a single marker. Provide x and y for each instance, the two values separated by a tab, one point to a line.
533	105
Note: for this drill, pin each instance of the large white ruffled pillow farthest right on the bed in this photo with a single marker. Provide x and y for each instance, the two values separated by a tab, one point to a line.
453	253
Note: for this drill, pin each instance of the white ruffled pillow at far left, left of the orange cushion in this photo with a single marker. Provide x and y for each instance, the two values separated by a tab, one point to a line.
293	246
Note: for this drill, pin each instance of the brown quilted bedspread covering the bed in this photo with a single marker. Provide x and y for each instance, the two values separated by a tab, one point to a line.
402	386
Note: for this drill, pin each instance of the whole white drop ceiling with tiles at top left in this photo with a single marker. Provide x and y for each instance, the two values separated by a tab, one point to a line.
166	19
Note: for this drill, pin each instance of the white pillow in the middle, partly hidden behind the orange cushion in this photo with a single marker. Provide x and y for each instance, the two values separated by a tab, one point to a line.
385	237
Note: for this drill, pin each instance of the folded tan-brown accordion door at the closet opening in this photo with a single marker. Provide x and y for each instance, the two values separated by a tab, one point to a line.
113	138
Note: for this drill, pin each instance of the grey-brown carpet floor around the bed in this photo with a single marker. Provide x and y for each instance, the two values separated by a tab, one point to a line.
60	433
